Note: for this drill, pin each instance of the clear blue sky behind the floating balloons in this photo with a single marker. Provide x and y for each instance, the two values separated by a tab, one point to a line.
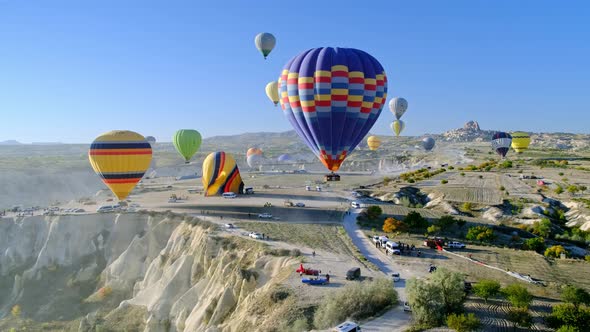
70	70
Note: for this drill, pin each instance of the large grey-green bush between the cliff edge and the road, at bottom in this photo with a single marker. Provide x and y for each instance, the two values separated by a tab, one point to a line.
355	301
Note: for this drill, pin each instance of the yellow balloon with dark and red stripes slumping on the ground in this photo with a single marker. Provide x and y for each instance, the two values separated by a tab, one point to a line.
221	175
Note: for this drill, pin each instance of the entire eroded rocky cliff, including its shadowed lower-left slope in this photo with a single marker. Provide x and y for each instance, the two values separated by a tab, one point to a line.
175	273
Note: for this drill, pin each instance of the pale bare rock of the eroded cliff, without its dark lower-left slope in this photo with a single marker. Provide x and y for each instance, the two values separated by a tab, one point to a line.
179	272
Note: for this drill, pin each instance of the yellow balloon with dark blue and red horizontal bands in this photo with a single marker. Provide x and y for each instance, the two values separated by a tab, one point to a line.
120	158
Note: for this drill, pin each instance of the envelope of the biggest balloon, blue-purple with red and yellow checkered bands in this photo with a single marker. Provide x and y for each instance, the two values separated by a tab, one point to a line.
332	97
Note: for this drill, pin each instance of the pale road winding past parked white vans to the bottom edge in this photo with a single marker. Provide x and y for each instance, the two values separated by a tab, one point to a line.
395	319
